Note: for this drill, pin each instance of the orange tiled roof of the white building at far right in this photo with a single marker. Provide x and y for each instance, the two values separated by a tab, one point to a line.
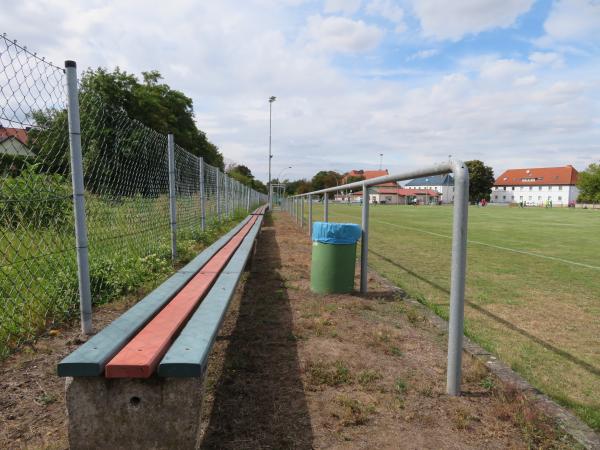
566	175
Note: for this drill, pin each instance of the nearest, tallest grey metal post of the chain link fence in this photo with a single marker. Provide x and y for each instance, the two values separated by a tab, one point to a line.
81	240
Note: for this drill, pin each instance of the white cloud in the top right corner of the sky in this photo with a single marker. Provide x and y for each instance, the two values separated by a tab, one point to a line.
574	20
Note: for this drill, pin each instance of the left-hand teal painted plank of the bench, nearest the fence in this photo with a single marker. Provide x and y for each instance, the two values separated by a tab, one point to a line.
90	358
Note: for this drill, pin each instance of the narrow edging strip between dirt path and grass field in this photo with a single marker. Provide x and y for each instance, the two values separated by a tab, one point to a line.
567	420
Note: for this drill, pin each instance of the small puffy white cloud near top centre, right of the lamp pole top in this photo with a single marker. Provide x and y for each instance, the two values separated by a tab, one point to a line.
342	34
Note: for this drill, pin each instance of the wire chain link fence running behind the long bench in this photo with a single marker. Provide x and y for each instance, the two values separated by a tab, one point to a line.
126	180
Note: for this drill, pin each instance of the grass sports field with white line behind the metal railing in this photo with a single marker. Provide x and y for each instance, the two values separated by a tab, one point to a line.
533	285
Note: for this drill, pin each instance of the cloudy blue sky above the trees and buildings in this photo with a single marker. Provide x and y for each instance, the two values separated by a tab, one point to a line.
515	83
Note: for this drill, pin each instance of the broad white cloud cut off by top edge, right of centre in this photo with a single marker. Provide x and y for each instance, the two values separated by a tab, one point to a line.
452	20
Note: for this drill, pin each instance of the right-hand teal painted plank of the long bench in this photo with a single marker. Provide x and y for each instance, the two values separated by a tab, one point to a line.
188	355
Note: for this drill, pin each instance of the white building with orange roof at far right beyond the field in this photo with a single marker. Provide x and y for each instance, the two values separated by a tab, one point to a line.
537	186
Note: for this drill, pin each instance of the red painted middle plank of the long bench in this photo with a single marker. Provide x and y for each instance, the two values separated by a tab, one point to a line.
139	358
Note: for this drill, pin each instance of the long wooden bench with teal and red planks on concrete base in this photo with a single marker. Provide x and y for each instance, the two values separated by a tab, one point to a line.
138	382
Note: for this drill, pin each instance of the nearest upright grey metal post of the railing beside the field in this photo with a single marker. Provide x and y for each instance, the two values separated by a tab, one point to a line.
457	277
